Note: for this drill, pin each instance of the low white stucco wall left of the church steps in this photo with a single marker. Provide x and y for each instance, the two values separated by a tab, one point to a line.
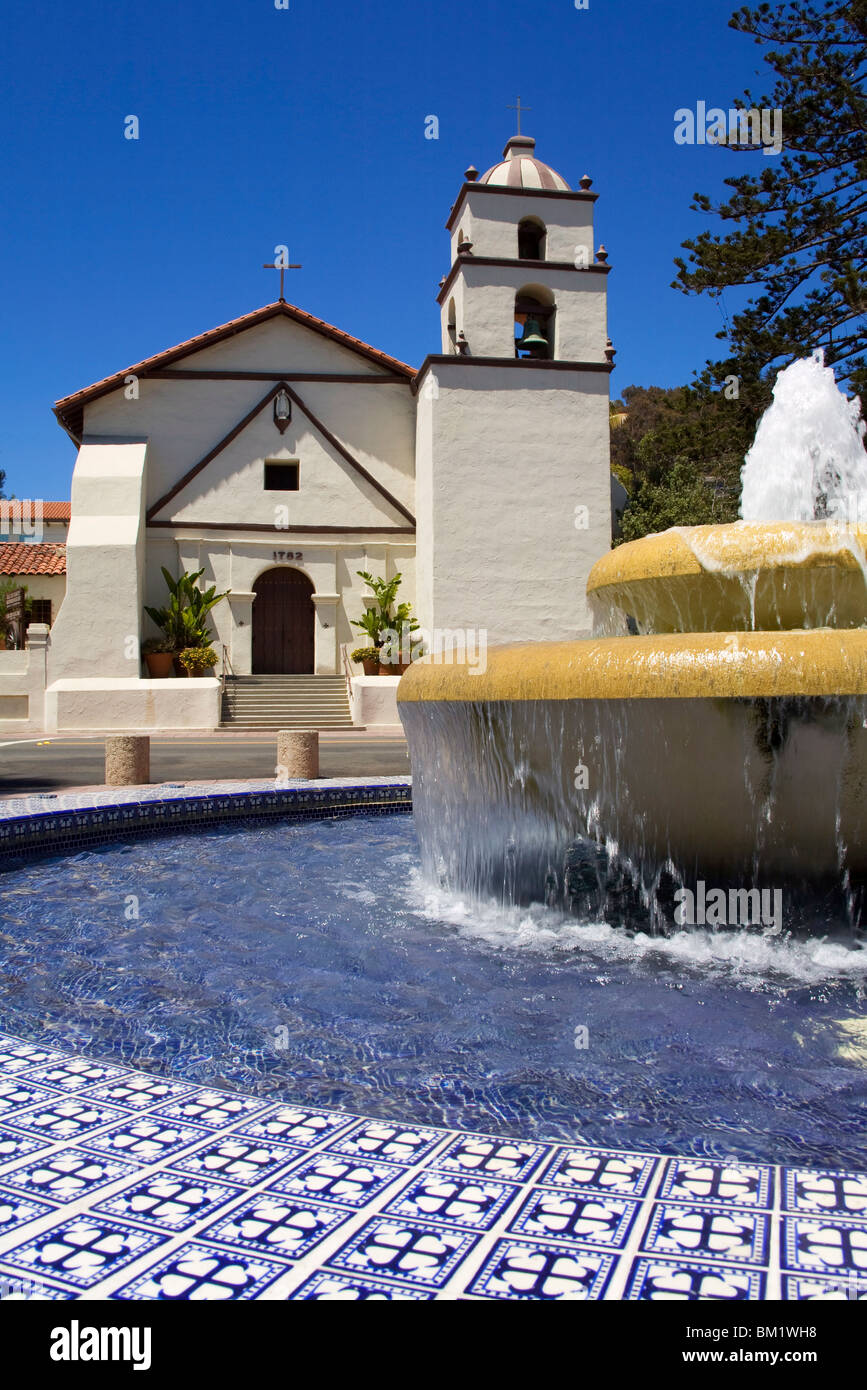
133	705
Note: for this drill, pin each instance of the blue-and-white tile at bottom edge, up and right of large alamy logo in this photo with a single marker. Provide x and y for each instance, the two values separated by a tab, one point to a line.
202	1274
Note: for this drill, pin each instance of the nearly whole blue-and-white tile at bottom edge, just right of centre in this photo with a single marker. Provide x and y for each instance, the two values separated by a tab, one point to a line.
543	1271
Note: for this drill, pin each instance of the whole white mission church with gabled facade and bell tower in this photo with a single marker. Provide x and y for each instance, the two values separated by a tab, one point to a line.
281	457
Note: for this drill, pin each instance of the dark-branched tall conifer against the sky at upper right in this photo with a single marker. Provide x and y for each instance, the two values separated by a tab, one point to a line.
798	240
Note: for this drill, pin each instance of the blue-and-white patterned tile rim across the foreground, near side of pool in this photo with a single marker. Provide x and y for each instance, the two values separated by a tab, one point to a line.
483	1249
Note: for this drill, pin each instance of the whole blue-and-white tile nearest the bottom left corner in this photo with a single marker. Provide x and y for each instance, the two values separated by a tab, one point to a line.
81	1252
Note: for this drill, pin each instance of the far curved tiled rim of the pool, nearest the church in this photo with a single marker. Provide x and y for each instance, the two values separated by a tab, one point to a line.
69	822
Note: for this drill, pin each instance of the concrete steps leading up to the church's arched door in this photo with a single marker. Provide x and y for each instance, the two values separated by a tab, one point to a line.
286	703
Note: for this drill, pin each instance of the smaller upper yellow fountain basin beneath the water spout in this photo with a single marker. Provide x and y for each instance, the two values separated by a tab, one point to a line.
740	578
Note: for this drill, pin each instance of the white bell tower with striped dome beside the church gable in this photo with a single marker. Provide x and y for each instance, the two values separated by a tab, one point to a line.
513	471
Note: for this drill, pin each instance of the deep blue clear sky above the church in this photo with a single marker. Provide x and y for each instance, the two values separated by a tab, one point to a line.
262	126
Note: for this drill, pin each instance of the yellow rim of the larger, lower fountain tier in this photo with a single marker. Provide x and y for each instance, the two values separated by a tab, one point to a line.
663	667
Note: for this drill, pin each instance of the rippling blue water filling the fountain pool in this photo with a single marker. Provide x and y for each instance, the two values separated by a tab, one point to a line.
312	963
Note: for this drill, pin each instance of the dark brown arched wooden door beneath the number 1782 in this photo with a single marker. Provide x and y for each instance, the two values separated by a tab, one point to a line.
284	623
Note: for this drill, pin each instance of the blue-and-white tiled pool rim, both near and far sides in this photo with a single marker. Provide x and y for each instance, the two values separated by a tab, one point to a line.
122	1185
